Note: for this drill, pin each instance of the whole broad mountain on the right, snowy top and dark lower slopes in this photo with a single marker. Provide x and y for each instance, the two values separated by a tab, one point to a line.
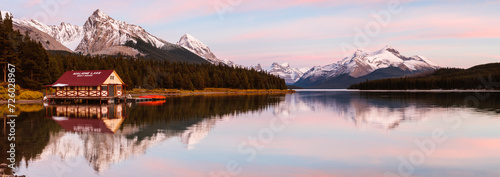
361	66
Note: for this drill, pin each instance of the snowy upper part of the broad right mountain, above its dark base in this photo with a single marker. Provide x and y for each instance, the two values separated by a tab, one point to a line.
363	63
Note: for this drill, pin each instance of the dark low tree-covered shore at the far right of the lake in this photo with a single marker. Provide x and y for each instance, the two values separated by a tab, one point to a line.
486	76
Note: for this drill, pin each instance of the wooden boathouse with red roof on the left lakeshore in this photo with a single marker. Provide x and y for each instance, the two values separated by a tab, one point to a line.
87	85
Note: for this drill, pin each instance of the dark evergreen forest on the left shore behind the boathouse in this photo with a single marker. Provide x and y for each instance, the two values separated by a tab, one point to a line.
37	67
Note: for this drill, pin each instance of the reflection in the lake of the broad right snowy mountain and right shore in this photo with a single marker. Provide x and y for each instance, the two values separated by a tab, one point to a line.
384	110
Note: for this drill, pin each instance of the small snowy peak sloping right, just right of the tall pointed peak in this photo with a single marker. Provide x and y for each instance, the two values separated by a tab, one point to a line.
197	47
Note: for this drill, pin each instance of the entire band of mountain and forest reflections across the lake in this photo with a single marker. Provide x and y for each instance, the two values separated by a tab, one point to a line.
103	135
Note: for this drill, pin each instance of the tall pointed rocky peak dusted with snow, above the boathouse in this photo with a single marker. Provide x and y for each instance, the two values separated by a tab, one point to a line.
105	35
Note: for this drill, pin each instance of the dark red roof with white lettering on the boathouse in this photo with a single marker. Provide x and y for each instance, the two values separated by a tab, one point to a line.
82	78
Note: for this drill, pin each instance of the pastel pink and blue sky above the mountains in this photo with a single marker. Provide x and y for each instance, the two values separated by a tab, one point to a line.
301	32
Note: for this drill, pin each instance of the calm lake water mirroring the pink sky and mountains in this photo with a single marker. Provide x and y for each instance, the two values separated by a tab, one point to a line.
308	133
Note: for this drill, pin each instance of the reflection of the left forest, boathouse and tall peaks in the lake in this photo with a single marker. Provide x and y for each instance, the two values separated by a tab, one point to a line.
108	134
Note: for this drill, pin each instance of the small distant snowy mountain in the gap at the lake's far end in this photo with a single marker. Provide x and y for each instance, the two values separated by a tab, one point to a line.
284	71
